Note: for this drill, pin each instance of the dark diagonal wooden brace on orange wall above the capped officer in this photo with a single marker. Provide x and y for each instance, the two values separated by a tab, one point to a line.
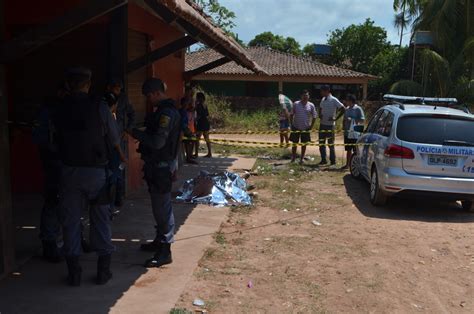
160	53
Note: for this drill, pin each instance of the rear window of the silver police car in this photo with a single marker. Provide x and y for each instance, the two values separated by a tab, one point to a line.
437	130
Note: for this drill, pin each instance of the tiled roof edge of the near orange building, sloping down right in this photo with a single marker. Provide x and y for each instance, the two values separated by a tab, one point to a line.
214	36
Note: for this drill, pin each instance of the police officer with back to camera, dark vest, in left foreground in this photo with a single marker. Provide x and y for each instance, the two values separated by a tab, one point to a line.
83	129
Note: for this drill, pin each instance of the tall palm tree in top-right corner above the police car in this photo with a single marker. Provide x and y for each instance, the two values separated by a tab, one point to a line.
447	68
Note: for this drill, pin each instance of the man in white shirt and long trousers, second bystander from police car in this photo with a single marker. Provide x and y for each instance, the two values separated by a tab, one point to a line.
328	109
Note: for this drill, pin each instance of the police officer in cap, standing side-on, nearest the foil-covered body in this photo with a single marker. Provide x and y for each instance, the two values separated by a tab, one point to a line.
158	147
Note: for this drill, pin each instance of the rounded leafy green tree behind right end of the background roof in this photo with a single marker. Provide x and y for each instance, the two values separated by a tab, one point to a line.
356	46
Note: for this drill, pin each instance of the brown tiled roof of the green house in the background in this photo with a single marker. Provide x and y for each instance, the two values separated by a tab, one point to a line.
275	63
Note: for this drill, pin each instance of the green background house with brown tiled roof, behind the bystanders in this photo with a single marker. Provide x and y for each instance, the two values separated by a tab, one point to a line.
285	72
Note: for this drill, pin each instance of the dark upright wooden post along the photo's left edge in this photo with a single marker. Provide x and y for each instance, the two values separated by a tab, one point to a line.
7	242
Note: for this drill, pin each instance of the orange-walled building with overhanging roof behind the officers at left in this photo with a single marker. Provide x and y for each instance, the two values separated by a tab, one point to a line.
132	40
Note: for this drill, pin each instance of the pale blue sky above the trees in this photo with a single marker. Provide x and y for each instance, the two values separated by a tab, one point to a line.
309	21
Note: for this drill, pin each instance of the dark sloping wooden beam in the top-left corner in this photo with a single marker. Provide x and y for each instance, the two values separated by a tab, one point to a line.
41	35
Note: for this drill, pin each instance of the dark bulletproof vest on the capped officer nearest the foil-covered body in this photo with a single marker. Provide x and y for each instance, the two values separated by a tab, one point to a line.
169	151
